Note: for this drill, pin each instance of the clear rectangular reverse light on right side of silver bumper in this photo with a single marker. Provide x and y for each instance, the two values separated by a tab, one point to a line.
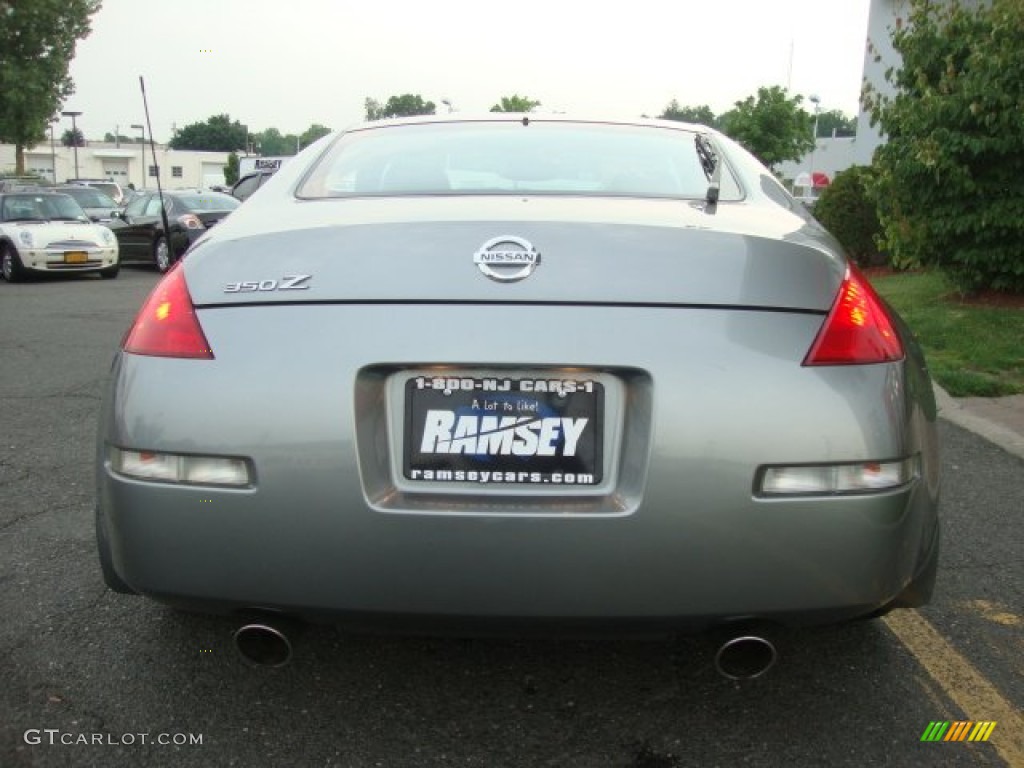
836	479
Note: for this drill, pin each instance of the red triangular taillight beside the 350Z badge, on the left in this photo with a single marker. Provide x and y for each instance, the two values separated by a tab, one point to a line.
167	326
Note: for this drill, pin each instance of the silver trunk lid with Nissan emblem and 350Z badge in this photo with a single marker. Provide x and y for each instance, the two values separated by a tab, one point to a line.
590	251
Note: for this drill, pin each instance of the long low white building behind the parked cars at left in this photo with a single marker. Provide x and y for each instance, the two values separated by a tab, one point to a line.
124	164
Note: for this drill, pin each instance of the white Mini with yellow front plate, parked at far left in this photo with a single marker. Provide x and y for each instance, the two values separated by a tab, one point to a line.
44	232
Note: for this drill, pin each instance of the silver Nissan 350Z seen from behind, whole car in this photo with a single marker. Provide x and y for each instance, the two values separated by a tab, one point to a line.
526	370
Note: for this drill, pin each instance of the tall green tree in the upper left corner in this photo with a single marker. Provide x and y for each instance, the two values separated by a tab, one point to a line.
37	46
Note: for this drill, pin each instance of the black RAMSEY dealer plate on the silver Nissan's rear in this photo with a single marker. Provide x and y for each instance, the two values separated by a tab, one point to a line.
542	432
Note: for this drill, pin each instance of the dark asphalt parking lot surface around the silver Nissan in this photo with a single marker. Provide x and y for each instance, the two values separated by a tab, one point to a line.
96	678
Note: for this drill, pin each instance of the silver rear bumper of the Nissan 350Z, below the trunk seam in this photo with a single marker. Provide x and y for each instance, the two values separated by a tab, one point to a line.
679	540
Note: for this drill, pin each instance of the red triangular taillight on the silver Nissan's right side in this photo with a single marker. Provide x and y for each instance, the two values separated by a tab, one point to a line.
858	330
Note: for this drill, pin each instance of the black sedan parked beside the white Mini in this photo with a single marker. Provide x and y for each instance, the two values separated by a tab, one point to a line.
140	229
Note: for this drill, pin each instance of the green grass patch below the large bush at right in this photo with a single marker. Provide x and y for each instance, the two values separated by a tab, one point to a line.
973	351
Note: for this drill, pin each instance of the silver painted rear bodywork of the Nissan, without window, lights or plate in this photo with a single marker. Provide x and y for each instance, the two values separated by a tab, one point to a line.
702	321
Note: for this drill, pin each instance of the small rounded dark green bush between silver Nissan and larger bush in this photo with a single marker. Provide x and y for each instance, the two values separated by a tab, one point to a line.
847	210
